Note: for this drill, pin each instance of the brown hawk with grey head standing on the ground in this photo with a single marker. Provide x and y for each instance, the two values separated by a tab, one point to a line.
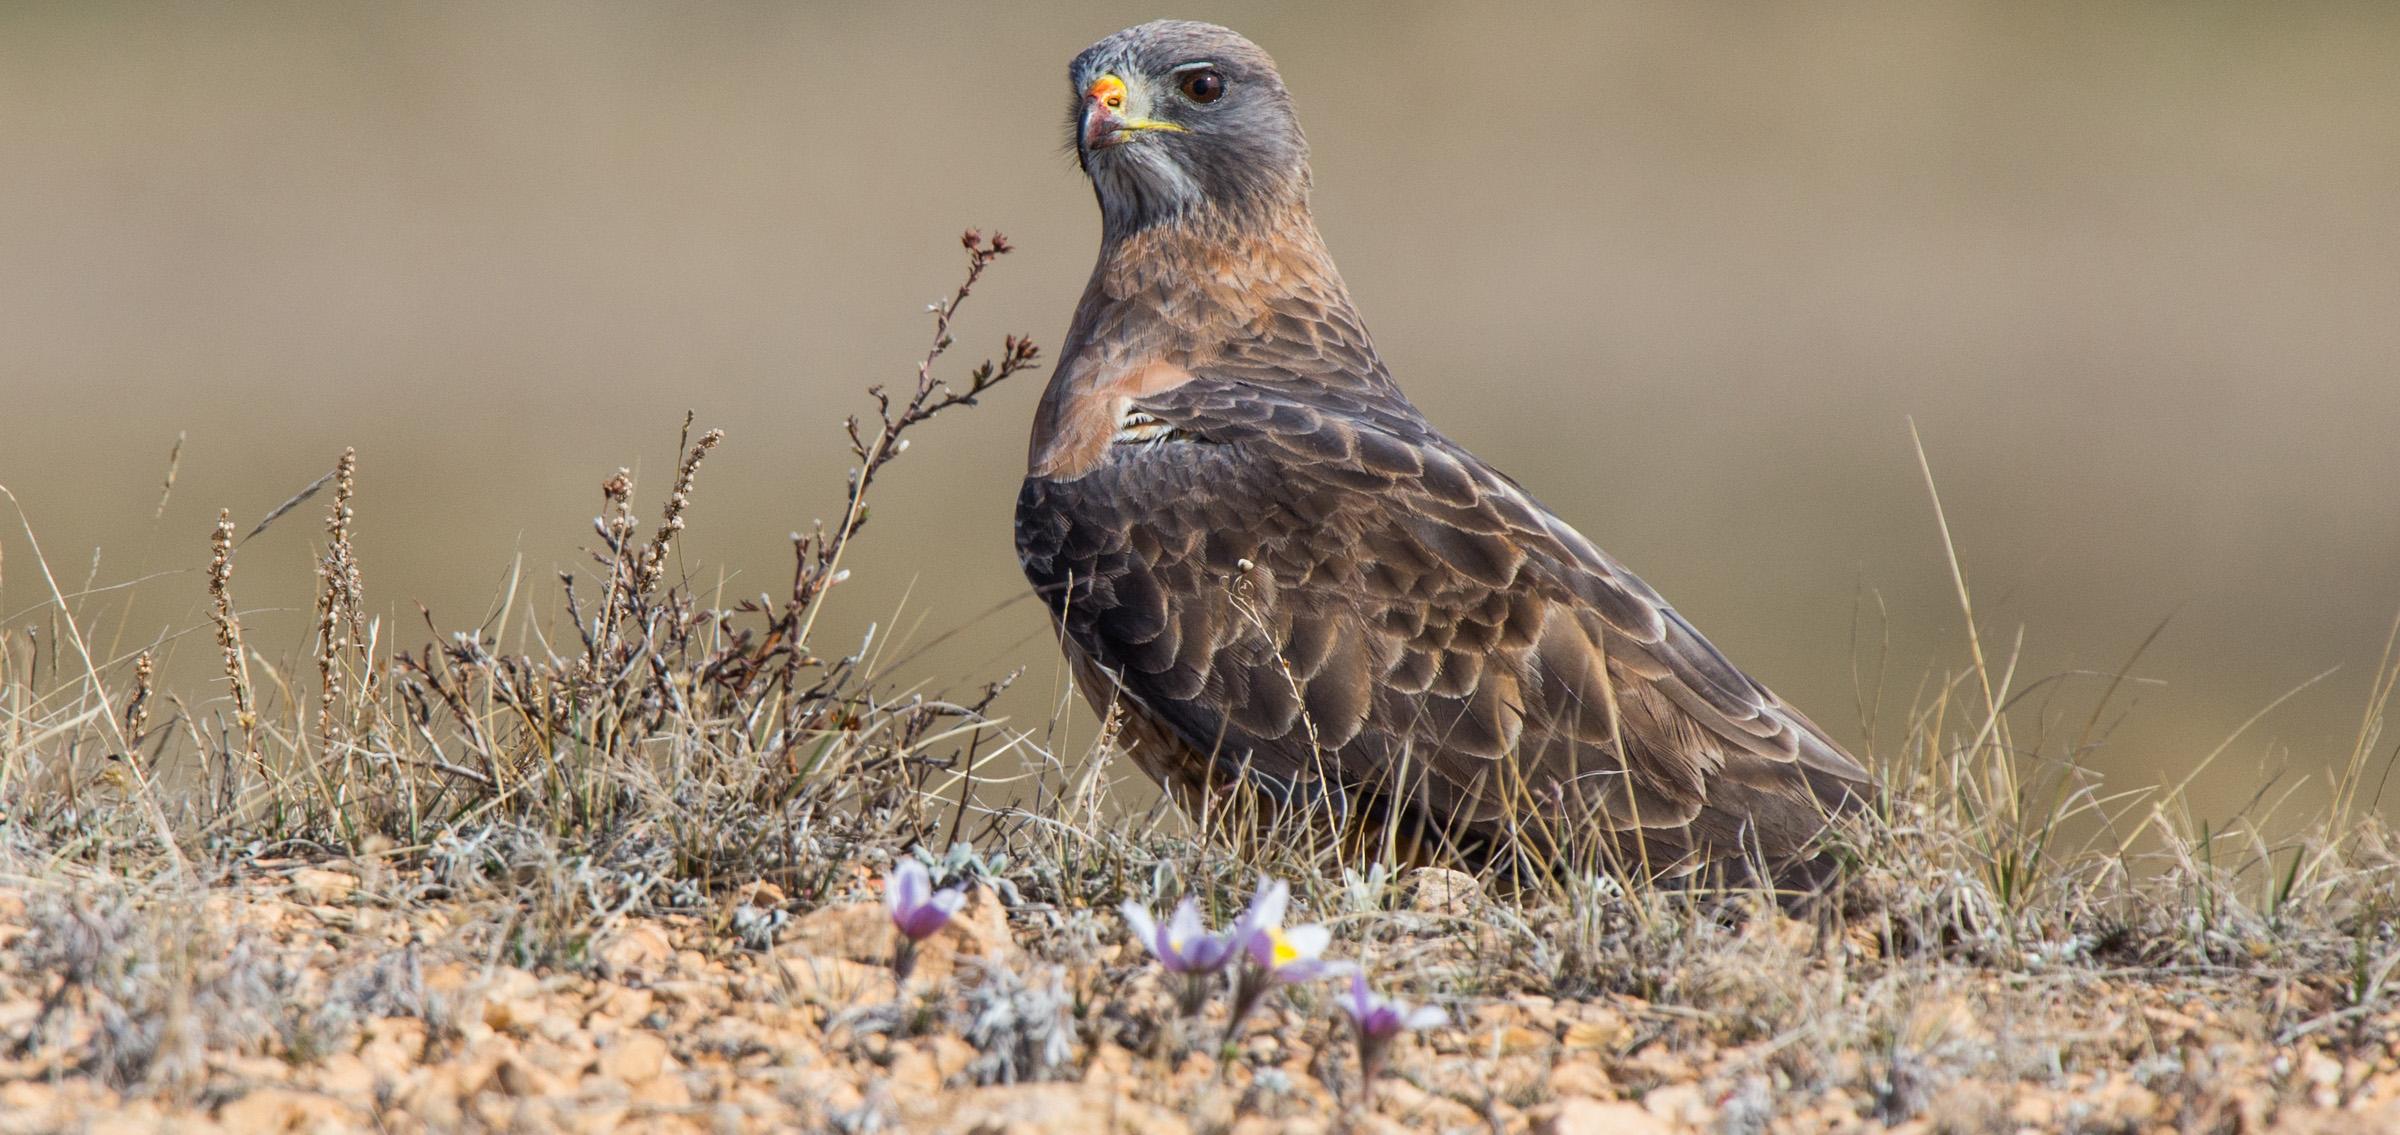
1295	589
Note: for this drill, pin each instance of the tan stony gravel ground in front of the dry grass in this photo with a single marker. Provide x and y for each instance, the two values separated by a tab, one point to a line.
688	1023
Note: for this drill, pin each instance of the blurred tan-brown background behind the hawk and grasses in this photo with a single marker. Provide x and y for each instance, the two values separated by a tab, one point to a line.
1686	270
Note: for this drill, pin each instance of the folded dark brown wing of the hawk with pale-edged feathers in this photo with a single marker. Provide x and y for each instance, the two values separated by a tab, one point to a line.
1319	591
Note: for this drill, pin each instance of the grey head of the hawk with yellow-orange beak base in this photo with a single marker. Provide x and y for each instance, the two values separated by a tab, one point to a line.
1175	116
